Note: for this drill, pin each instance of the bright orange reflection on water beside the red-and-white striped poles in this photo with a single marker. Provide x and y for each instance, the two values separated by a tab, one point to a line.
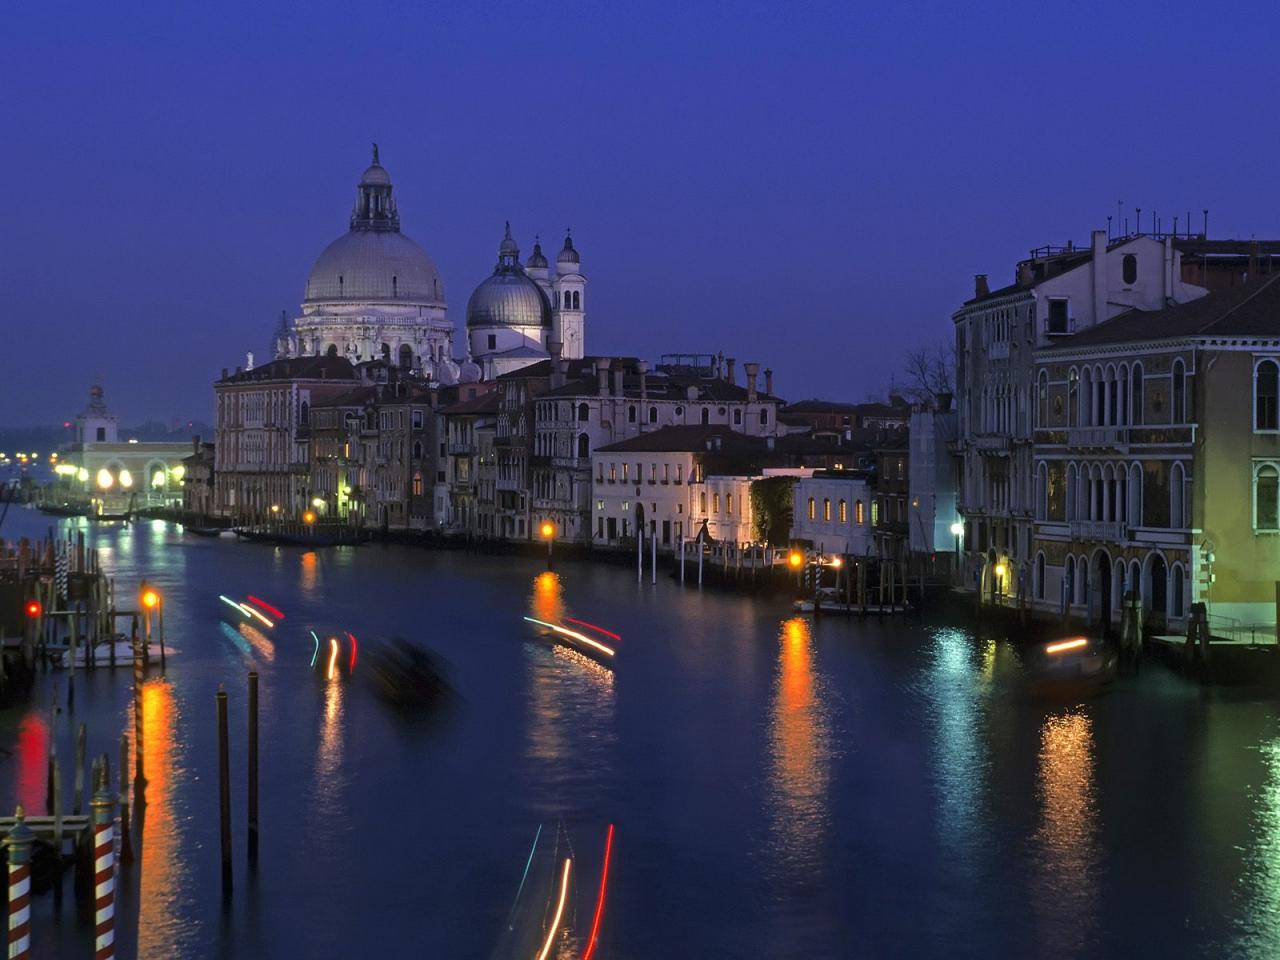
163	875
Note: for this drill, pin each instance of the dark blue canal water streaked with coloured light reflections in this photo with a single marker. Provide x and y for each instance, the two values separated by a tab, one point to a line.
779	788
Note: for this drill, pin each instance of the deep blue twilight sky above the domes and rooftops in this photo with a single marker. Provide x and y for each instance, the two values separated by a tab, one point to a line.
812	186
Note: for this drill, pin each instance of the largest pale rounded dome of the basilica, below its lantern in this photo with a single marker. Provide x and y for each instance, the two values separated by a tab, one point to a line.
376	266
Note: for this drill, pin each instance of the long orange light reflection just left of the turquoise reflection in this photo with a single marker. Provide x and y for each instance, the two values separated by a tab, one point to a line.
799	756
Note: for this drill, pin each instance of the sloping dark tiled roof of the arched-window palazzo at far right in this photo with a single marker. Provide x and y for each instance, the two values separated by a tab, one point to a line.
1251	310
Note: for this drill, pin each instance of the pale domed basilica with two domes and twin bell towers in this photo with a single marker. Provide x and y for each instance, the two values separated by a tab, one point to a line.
377	295
